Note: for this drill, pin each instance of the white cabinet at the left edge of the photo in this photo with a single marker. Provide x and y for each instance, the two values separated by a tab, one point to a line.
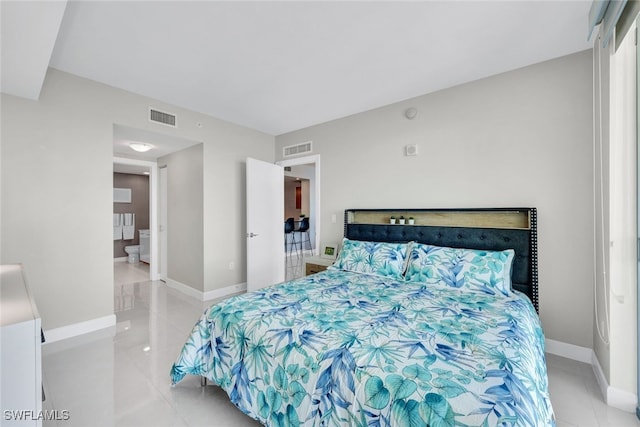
20	346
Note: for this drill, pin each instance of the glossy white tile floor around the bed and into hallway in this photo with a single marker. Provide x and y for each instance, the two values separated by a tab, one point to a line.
120	378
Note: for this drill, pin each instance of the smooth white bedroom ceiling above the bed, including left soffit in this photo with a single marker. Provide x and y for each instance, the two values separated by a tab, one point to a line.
278	66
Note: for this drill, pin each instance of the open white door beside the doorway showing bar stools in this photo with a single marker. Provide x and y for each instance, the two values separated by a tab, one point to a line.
265	224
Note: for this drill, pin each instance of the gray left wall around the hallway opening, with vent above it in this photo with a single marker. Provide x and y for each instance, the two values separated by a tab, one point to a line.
50	218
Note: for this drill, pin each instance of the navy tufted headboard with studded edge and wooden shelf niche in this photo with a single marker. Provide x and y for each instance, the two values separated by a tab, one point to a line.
489	229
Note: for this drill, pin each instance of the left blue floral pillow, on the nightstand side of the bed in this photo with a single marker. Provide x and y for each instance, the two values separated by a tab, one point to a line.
382	259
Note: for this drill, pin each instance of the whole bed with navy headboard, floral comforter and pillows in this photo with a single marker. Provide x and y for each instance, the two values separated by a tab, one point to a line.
430	324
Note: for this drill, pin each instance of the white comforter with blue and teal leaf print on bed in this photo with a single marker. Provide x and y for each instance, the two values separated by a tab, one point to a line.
340	348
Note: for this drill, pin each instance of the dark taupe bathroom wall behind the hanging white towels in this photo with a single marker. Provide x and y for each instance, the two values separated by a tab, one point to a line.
139	185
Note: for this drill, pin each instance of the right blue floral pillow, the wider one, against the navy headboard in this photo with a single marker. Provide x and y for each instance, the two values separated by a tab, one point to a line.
486	271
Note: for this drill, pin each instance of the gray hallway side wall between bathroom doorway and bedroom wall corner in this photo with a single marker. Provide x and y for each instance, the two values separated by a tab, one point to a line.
185	216
